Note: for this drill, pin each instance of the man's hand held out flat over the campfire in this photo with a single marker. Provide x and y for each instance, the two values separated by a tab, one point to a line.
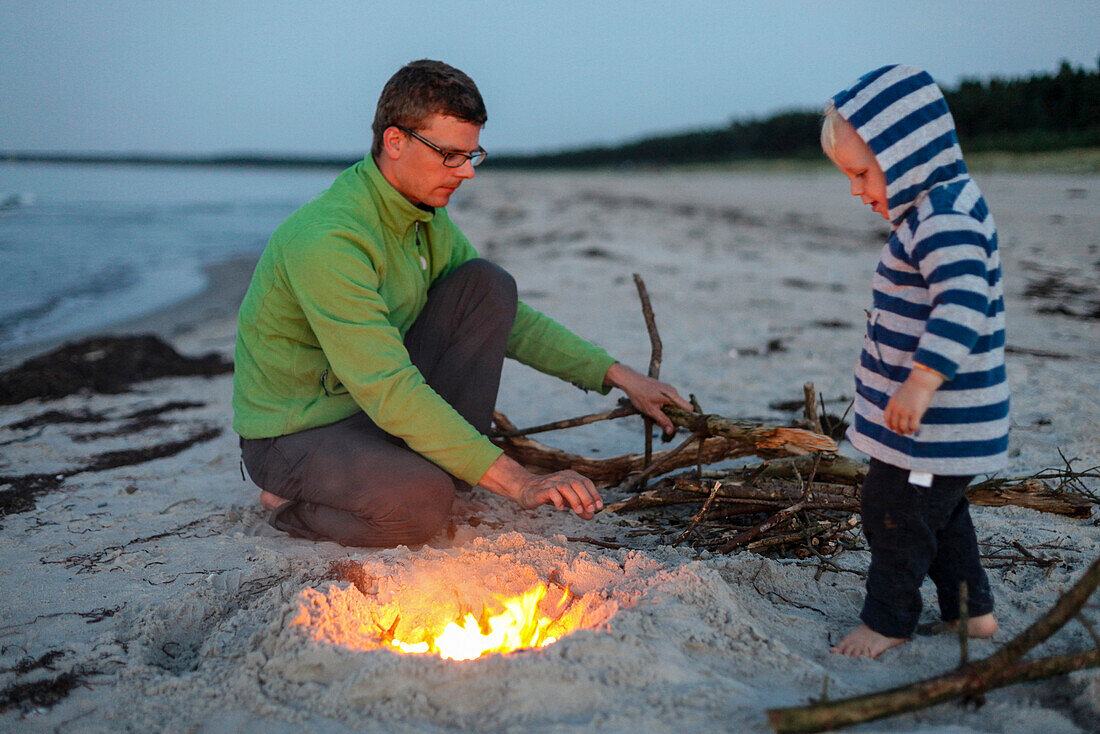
560	489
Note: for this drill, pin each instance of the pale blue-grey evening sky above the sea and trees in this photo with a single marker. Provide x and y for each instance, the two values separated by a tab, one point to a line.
304	76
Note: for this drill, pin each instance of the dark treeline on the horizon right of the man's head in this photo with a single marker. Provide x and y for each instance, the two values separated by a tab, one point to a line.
1041	113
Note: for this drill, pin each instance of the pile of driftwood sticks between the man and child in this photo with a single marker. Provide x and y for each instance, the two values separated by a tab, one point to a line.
802	501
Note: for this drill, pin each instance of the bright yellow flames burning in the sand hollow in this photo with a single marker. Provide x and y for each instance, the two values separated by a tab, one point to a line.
521	626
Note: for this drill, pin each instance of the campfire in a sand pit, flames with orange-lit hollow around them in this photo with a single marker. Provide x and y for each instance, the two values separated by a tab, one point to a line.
449	615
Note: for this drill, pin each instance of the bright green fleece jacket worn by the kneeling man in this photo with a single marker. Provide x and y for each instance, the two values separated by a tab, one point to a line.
322	330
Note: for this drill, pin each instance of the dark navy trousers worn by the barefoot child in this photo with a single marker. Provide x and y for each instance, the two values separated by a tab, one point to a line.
916	532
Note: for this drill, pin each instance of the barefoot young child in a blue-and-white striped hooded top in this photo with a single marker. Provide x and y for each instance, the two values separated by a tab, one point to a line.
932	402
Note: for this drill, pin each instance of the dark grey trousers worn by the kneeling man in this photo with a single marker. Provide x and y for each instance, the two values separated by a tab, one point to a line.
355	484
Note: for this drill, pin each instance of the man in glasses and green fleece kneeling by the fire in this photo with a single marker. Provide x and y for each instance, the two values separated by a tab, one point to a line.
372	337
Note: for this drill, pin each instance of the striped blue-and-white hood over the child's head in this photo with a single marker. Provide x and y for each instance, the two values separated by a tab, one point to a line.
900	113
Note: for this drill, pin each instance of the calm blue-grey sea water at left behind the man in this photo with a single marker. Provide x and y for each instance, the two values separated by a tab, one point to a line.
85	246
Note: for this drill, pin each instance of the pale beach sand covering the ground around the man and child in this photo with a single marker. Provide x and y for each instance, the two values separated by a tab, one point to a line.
156	597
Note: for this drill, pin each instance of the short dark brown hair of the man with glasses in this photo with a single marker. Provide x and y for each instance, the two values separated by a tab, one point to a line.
421	90
